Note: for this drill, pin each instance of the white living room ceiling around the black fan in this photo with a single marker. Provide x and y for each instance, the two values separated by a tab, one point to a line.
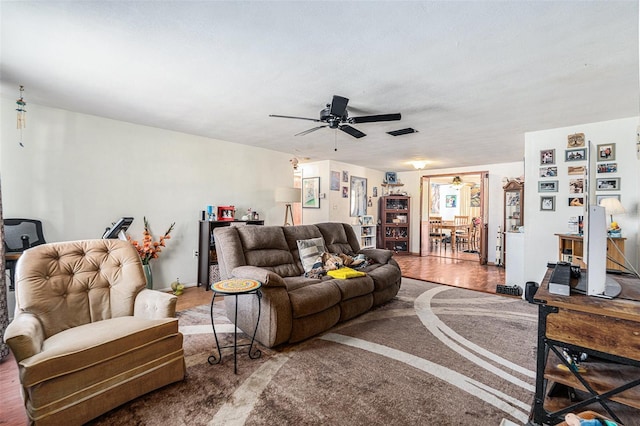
471	77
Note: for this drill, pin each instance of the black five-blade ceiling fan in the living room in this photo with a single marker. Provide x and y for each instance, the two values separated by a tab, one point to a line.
336	116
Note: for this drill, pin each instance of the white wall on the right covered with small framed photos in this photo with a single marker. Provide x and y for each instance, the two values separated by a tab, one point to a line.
541	244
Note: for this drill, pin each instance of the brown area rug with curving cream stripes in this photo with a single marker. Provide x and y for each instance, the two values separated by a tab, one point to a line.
434	355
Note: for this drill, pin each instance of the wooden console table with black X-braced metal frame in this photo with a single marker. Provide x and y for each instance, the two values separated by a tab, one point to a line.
607	330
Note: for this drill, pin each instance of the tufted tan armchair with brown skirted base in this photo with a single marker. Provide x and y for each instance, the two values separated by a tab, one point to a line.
87	334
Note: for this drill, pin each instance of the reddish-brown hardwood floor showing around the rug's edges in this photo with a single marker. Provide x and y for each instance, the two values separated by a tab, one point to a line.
451	271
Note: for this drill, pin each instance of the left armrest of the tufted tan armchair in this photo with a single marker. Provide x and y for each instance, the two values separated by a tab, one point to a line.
24	336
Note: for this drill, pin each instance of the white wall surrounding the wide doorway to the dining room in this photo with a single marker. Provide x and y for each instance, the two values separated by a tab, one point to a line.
495	210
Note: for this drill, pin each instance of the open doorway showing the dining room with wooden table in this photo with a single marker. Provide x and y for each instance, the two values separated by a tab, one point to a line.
453	213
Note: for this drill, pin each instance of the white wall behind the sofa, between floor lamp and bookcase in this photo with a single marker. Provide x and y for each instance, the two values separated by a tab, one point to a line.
335	208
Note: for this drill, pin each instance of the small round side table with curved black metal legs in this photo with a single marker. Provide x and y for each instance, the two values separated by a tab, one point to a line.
236	287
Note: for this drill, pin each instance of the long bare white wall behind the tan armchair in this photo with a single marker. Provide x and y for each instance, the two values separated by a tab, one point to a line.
79	173
